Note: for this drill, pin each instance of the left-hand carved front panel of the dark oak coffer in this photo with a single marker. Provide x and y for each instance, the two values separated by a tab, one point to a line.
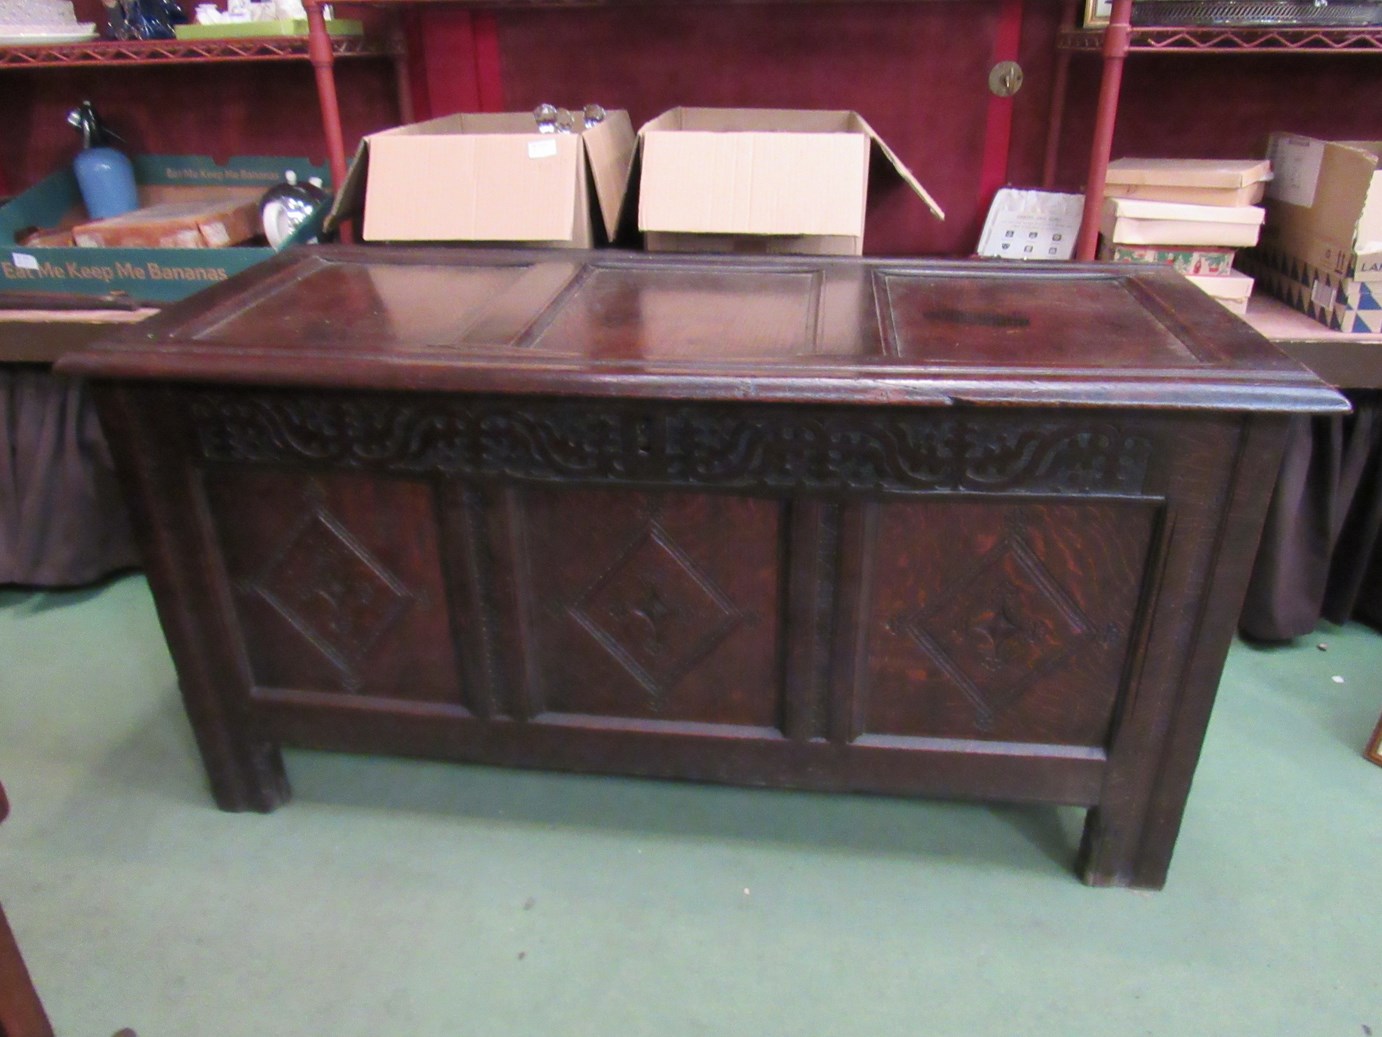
337	583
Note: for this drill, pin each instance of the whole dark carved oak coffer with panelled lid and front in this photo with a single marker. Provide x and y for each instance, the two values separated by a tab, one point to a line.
931	529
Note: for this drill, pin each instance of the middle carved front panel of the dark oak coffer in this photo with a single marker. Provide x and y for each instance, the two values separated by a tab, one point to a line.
657	606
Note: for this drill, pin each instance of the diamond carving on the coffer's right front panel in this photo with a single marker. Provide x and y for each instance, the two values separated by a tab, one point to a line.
1000	628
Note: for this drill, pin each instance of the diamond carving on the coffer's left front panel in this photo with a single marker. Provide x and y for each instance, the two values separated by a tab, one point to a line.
332	591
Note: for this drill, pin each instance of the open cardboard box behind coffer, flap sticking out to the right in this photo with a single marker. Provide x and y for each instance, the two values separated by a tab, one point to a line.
759	180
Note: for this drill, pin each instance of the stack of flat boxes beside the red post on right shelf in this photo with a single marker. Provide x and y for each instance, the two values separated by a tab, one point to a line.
1193	215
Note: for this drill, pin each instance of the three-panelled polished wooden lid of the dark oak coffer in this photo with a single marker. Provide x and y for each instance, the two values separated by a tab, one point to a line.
768	330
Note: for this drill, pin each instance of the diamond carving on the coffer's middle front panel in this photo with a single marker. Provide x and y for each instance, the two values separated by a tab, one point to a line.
657	613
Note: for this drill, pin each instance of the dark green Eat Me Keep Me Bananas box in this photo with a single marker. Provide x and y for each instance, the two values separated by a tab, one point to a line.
157	276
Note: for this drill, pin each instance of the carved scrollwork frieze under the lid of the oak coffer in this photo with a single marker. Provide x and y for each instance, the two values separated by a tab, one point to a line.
765	449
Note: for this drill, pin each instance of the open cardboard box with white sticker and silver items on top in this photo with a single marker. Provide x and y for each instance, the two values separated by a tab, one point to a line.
490	179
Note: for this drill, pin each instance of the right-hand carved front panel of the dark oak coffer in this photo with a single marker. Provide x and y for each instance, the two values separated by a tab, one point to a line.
997	622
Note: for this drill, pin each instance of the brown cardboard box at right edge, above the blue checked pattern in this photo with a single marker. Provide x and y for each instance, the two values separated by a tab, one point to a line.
1325	207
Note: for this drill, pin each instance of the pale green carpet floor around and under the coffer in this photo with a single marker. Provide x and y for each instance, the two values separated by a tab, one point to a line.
439	901
